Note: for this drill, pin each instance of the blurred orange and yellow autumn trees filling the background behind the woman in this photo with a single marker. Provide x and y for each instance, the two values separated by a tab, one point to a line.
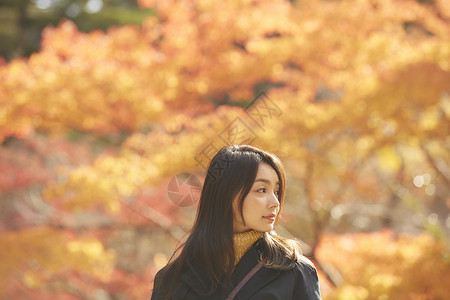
110	111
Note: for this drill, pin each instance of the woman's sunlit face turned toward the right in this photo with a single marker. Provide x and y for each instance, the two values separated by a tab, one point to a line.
261	205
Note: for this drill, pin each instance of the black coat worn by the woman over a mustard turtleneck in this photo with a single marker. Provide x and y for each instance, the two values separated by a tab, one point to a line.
300	283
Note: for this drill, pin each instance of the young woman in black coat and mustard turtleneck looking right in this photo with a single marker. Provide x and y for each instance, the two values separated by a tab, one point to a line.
232	251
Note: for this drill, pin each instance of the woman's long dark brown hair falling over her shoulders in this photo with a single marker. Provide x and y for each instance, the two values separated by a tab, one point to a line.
209	245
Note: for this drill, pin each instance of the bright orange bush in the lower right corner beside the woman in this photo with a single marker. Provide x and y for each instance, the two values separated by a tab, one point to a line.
386	266
